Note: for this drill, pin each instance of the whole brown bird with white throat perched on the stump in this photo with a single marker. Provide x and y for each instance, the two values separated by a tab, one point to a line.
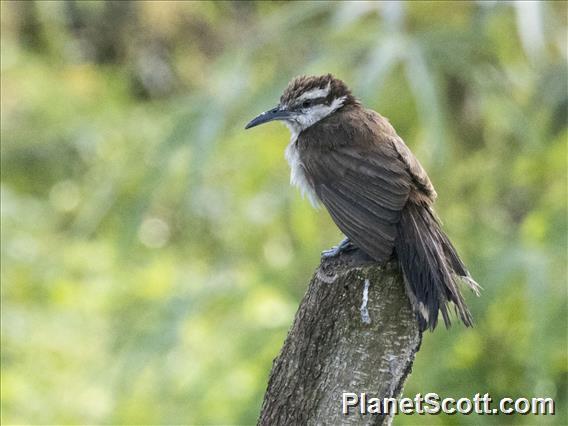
351	160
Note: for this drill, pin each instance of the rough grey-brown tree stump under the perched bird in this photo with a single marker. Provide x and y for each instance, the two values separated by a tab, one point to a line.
343	339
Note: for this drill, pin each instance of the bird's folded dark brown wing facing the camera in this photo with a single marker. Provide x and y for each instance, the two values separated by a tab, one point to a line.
363	194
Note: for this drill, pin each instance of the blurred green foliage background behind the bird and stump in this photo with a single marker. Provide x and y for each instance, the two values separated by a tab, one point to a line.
153	253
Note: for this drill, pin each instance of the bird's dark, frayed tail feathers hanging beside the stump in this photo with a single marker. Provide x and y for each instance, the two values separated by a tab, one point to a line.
431	267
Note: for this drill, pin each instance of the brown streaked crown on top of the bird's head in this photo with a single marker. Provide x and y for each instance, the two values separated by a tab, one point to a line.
306	83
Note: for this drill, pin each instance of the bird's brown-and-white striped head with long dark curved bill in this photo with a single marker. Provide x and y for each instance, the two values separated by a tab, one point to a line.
307	100
